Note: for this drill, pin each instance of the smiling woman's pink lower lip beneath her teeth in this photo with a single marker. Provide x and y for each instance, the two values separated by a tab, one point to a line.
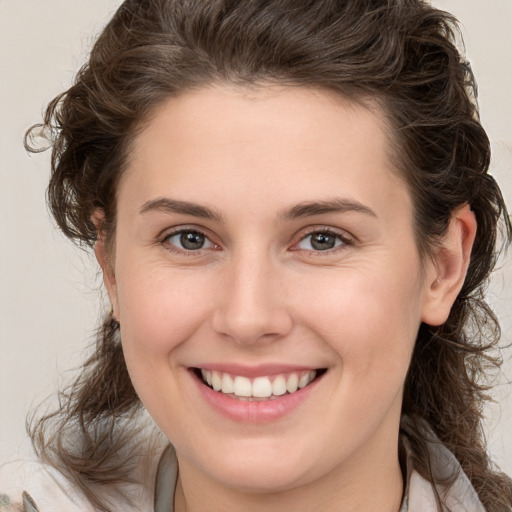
244	411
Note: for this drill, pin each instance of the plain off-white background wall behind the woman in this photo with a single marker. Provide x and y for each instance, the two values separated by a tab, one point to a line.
50	291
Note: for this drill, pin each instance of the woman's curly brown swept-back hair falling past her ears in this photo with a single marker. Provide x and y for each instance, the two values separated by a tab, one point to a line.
402	54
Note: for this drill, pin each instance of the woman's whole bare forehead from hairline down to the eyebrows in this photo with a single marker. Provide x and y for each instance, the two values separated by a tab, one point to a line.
279	143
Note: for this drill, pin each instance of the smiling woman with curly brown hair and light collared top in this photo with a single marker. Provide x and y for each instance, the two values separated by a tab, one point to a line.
291	208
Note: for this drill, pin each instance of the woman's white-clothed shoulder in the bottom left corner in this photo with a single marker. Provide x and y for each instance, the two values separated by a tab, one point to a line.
30	486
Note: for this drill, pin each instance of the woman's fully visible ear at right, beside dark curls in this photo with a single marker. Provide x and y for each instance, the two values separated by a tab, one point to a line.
446	274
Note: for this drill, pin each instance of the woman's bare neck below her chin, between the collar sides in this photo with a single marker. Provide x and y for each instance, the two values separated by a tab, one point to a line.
354	486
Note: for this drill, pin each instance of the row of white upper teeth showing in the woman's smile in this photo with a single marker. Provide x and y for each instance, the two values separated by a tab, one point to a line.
260	387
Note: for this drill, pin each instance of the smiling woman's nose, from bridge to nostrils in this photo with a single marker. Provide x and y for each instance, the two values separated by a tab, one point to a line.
252	306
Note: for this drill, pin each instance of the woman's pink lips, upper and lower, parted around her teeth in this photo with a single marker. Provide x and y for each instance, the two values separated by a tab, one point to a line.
245	411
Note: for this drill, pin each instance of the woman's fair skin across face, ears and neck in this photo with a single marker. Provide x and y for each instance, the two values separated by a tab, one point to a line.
217	265
